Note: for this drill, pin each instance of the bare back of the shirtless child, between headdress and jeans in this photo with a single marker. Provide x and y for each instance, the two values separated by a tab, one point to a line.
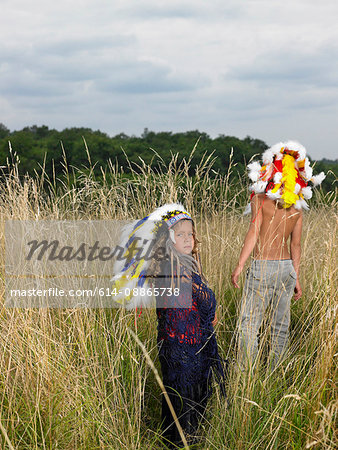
277	225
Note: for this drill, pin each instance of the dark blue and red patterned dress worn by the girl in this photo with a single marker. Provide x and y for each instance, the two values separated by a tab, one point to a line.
188	353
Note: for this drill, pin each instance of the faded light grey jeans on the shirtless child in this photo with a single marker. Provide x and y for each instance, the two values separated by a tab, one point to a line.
268	282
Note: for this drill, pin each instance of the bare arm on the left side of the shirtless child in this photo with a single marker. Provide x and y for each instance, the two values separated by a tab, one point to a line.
250	238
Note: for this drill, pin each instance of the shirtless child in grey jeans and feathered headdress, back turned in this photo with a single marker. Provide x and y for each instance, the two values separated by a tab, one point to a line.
279	190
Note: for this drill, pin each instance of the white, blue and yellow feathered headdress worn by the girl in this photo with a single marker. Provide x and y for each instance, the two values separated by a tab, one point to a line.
131	270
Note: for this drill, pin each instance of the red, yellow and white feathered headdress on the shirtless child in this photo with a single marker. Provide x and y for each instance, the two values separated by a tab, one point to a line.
284	175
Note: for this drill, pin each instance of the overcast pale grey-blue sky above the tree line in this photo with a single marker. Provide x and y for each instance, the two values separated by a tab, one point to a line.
264	68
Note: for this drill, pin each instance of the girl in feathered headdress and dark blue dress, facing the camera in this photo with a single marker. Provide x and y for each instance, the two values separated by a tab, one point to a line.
185	311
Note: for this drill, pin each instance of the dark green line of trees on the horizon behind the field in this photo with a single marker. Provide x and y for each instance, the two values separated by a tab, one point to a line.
38	145
